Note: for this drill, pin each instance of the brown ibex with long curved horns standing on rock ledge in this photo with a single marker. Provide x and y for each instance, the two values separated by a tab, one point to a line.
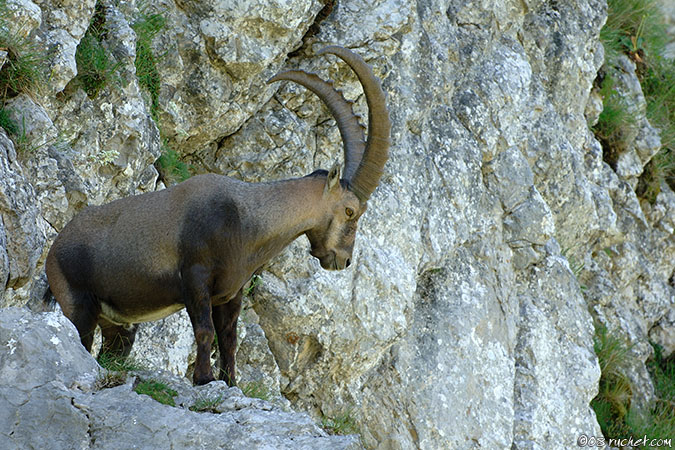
194	245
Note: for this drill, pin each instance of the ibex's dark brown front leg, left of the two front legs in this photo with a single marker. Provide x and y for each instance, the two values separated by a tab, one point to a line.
198	305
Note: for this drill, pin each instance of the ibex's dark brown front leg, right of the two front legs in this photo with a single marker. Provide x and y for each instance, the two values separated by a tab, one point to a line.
225	320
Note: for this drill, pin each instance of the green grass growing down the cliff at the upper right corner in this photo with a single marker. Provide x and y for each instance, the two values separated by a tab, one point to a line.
636	28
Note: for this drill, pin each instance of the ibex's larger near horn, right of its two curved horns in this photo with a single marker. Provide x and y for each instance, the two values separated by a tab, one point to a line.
369	171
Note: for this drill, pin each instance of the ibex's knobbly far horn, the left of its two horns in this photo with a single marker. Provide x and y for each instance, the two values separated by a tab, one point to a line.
350	128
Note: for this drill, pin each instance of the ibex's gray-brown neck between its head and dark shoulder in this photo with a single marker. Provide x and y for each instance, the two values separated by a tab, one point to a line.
286	209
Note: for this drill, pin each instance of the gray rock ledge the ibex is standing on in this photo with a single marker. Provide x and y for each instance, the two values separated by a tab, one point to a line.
52	402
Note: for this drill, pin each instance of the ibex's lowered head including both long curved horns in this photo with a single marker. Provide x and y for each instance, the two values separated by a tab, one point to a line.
344	199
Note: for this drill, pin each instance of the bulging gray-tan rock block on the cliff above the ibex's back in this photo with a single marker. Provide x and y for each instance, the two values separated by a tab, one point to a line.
216	57
